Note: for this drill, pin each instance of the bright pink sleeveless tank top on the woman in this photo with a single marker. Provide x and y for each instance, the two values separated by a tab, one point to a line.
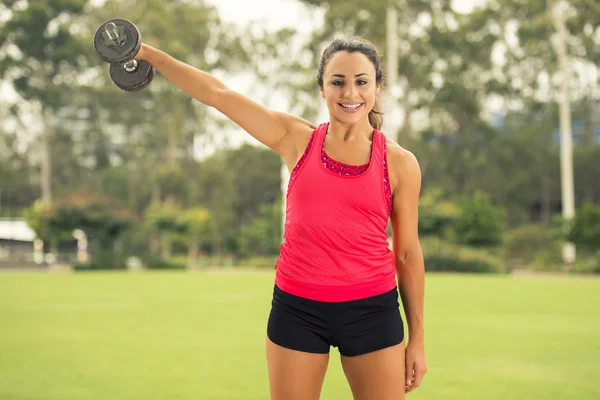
335	243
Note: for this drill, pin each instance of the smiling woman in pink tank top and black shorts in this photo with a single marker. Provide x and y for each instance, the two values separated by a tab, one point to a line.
335	281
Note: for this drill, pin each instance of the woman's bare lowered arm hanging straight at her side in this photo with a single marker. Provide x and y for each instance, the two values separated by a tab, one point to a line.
408	257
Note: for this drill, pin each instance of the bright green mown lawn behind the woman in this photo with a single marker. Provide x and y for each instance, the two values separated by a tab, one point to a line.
110	336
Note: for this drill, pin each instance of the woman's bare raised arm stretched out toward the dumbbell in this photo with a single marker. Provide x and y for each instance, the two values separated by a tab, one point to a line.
269	127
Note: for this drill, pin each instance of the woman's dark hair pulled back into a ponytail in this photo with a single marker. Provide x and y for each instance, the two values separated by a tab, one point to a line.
352	46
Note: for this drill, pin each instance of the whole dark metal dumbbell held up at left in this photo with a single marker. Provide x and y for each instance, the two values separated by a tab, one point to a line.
118	41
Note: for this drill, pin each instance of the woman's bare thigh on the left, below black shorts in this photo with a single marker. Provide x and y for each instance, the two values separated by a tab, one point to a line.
293	374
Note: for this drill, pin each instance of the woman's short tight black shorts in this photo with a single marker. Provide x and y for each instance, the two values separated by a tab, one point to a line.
354	327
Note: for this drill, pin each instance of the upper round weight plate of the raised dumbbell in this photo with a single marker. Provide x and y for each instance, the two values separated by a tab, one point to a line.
124	48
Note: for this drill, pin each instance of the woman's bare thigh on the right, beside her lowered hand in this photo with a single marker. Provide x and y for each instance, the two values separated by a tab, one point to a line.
378	375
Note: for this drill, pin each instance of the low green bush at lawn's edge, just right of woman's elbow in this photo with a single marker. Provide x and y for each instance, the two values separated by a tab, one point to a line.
444	256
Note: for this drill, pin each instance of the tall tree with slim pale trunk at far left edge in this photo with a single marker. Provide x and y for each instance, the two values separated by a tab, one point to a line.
37	58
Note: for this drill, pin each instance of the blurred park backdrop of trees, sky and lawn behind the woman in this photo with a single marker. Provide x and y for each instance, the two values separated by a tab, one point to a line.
498	99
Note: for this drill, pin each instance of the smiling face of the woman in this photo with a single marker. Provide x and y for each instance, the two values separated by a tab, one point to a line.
349	86
